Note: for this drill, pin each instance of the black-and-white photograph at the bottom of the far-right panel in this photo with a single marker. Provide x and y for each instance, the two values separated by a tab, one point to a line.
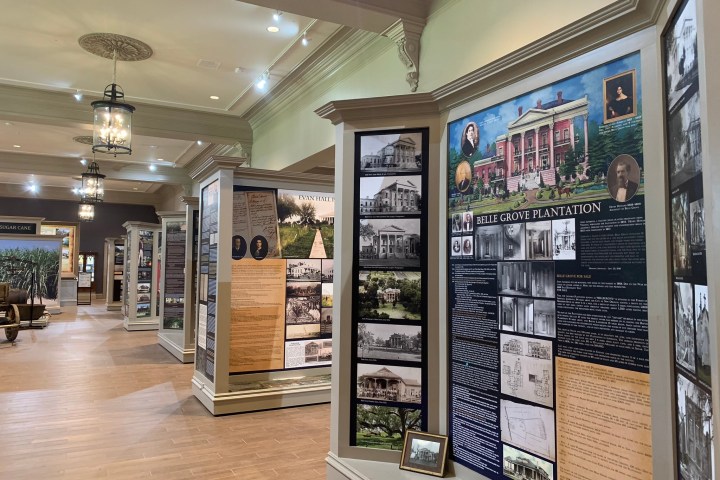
694	431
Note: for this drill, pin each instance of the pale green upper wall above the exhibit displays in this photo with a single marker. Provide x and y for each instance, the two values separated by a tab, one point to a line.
460	37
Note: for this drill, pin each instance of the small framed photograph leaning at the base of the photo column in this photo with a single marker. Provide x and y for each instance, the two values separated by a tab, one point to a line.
424	453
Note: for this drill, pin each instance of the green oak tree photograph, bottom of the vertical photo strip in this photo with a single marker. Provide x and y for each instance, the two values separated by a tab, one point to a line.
384	427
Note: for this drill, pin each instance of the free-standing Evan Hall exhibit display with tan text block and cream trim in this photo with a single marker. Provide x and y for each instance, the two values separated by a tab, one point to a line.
265	289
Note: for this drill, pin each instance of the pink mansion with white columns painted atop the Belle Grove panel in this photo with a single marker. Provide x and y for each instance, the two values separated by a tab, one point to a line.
535	145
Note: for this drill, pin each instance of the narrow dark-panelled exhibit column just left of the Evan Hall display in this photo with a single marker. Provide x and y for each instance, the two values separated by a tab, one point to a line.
172	285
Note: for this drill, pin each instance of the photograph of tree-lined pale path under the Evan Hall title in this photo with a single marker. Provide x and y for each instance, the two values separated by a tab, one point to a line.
306	223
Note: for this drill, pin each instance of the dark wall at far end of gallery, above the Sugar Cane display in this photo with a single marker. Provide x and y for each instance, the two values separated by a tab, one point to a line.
109	218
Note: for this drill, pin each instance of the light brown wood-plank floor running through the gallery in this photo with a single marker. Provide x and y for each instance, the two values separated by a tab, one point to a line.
84	399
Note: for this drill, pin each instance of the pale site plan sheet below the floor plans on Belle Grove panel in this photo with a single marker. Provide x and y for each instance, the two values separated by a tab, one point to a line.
528	427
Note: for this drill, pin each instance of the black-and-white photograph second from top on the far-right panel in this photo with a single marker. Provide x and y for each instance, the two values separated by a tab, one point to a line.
684	147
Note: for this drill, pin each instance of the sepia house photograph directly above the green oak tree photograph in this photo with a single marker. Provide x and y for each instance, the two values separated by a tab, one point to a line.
389	383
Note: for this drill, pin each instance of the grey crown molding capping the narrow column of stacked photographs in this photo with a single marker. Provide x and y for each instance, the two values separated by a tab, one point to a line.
419	104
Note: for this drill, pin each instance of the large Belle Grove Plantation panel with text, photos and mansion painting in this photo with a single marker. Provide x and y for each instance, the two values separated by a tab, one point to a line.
547	276
